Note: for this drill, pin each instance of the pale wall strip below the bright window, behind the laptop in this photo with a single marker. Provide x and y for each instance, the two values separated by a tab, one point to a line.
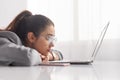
109	50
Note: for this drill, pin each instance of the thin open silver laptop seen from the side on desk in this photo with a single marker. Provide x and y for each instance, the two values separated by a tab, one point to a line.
93	55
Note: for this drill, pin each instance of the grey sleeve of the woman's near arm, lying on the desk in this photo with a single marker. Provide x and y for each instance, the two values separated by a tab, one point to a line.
18	55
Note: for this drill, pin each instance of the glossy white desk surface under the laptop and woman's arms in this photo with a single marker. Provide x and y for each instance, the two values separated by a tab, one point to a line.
99	70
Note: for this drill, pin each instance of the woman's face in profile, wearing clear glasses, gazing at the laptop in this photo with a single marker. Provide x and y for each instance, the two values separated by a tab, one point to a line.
44	42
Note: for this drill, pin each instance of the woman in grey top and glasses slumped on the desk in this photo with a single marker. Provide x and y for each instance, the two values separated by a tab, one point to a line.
28	40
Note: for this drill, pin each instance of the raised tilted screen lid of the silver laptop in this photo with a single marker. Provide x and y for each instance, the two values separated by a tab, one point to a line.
99	41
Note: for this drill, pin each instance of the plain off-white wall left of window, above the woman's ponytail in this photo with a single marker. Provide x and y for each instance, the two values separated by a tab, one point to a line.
9	9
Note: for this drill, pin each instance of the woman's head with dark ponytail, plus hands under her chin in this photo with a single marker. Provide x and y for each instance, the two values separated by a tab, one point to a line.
37	32
